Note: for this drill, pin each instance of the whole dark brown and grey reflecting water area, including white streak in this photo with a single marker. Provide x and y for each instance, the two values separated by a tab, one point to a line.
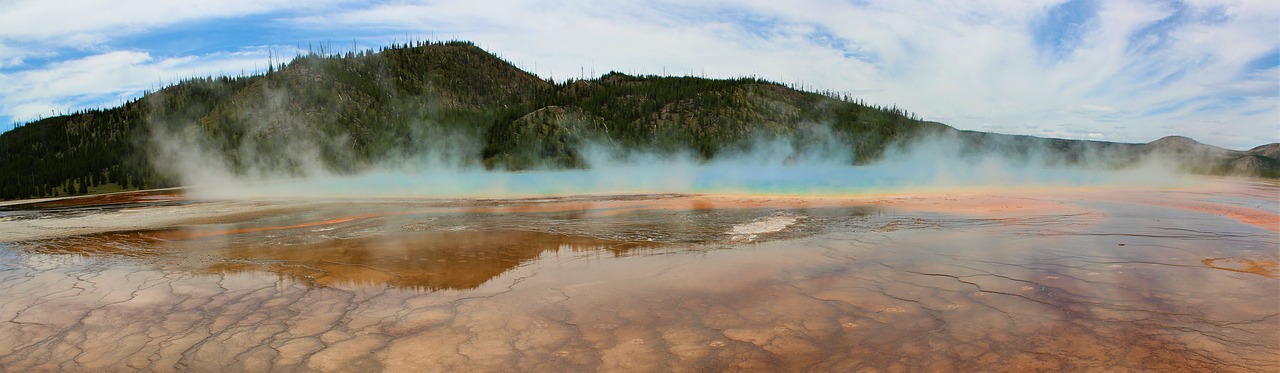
440	248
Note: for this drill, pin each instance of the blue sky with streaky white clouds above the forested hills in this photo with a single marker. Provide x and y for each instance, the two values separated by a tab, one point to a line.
1094	70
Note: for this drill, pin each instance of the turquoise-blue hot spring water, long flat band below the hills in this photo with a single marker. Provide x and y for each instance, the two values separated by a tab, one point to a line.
694	179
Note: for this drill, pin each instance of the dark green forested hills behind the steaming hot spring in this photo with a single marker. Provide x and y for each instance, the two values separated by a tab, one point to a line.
459	104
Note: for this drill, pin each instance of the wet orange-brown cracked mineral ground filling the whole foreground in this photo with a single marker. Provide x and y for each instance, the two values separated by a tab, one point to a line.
1048	280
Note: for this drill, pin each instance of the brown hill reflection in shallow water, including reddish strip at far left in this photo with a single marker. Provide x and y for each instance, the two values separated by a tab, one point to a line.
426	262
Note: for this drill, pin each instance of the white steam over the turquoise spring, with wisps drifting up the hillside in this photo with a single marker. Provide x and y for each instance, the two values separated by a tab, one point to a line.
284	156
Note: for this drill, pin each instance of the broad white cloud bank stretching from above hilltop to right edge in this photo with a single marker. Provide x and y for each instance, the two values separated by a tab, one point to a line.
975	65
